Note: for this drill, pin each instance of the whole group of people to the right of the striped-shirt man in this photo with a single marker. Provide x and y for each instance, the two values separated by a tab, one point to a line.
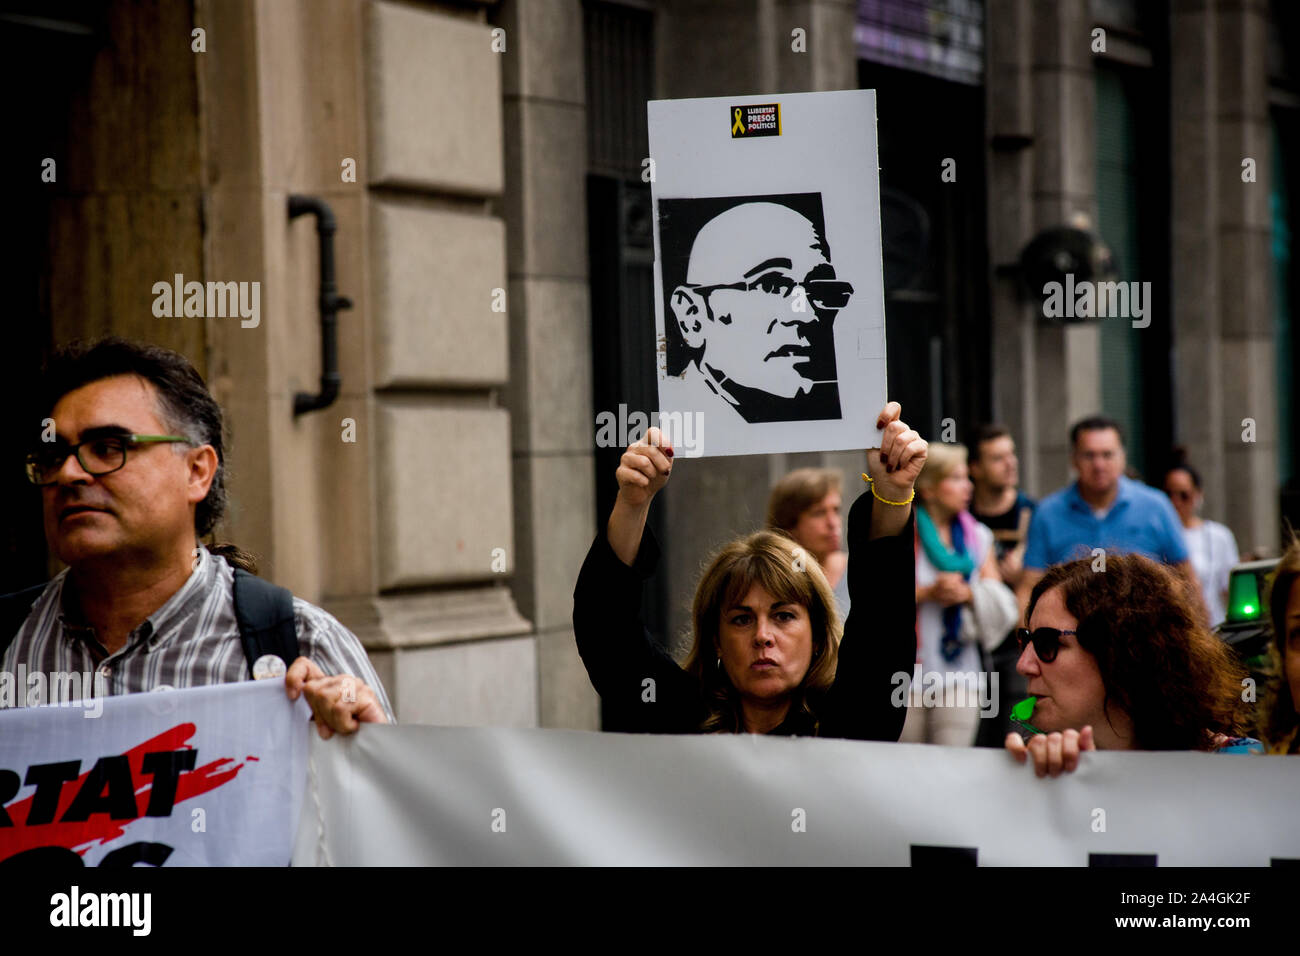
1099	602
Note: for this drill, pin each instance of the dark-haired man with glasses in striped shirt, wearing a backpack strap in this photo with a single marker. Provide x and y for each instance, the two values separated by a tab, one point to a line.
129	458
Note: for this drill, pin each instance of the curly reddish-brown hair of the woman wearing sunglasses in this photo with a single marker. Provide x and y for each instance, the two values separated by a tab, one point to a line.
1178	684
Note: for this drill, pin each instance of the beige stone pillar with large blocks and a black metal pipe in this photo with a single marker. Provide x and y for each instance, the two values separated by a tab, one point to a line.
392	507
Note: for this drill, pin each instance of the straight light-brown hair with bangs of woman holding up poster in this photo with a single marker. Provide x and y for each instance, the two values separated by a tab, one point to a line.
787	573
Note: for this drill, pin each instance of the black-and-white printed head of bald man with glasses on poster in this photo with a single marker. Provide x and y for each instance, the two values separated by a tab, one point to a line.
757	317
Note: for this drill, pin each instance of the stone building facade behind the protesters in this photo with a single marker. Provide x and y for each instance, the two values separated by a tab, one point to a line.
441	508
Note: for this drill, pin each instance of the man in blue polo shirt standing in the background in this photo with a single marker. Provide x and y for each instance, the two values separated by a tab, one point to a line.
1103	509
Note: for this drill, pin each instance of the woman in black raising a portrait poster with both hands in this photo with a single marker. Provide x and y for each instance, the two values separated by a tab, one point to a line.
770	655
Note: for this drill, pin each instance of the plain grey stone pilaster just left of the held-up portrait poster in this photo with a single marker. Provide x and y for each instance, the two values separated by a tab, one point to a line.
549	392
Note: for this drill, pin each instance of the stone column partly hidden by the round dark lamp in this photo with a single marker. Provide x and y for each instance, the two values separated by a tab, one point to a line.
1041	109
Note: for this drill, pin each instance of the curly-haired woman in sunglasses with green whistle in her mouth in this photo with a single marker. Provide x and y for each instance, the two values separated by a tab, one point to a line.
1119	660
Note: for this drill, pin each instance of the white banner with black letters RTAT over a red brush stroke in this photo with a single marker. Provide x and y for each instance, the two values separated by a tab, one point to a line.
210	776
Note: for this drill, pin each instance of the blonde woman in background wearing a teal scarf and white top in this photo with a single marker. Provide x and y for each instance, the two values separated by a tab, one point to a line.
952	552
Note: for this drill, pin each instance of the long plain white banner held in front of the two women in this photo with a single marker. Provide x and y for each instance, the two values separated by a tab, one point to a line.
491	797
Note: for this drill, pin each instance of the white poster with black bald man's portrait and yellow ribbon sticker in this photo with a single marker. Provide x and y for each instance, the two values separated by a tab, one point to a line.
769	279
